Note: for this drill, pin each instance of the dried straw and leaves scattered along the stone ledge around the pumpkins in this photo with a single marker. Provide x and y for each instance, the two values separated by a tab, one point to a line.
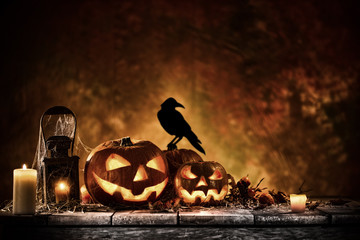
241	195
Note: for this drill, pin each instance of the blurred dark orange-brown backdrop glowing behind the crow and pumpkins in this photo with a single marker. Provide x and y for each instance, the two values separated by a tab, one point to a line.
270	87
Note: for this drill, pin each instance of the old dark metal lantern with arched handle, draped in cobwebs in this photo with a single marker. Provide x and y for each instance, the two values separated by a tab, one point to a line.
60	169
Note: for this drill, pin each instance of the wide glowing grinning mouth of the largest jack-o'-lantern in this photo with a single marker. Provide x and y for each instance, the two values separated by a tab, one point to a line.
127	194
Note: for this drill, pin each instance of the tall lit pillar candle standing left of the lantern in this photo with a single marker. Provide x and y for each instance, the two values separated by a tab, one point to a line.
24	191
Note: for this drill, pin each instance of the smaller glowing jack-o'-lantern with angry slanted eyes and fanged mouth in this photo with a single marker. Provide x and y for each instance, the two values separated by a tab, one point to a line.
201	181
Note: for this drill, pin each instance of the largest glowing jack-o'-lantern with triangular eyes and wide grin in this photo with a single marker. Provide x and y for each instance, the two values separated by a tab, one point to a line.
125	172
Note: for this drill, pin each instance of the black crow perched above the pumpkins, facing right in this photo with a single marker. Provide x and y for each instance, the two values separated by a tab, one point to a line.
174	124
